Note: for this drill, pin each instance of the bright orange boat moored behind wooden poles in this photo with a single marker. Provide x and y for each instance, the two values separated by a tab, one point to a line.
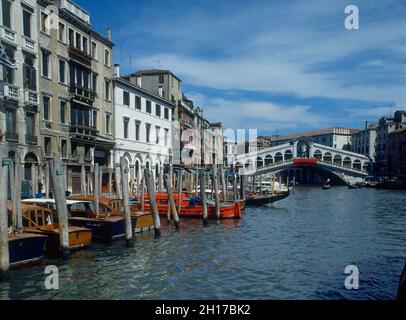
192	207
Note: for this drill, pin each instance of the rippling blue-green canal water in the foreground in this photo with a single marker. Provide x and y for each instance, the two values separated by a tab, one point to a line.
295	249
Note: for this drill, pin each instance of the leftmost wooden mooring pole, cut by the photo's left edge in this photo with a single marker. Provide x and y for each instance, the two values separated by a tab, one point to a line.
4	253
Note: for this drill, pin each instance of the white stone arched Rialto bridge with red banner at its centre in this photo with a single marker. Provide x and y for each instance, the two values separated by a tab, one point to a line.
344	166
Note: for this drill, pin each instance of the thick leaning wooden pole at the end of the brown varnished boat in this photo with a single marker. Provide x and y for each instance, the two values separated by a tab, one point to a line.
58	187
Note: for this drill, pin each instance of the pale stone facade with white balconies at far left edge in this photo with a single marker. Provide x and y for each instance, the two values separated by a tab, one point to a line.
19	103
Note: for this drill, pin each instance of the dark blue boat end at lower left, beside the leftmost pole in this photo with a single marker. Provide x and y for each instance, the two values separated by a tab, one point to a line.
26	249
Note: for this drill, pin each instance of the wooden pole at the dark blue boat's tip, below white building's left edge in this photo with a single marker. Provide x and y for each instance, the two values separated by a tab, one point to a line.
126	201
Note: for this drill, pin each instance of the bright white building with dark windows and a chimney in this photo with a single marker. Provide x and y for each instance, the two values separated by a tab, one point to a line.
143	124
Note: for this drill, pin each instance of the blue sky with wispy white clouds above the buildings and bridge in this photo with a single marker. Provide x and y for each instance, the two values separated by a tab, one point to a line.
278	66
